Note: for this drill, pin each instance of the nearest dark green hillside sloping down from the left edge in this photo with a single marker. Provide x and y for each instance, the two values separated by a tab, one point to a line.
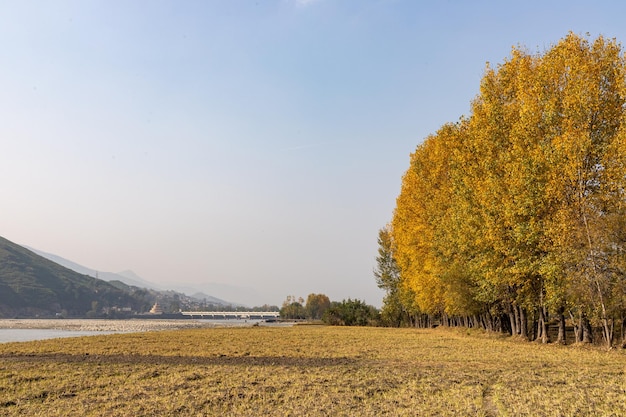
31	285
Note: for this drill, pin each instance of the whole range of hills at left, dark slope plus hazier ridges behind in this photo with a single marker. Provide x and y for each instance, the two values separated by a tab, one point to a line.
32	285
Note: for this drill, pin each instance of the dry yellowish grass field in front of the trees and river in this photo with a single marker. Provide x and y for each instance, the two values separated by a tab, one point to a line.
308	371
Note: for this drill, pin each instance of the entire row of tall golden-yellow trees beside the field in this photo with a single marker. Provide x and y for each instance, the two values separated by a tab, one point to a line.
514	217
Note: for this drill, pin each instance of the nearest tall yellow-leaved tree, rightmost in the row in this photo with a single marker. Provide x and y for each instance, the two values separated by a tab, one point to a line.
584	85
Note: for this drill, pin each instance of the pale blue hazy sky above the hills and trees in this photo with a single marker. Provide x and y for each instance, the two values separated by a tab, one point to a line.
258	144
